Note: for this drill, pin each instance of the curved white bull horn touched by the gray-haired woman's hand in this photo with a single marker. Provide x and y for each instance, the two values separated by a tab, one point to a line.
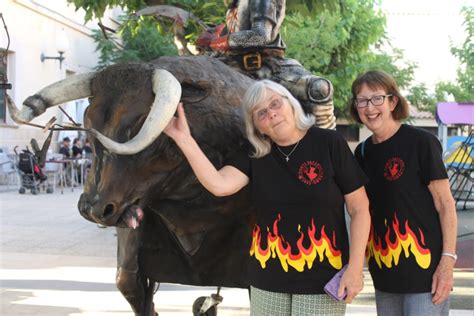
167	91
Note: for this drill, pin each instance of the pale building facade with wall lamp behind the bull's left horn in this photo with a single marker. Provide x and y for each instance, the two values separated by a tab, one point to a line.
42	28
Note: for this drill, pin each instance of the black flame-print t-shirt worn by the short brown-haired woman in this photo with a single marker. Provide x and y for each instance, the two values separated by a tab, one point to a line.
405	241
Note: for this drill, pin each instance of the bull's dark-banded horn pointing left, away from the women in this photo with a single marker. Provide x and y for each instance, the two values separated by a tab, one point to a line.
72	88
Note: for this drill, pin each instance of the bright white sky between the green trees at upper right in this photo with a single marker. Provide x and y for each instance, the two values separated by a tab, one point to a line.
425	29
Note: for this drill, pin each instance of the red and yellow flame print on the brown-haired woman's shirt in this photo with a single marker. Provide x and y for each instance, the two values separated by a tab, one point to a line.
407	242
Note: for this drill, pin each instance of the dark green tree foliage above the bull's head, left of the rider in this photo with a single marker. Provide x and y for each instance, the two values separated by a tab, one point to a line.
144	37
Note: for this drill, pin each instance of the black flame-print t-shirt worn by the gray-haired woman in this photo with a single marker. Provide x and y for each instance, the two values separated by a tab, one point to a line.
300	239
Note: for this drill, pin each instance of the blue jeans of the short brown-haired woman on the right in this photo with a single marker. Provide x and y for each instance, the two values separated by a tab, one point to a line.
409	304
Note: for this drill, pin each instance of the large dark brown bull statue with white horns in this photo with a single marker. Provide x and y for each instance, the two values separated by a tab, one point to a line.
139	177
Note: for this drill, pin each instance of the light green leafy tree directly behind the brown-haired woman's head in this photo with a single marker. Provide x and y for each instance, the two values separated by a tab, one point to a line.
339	43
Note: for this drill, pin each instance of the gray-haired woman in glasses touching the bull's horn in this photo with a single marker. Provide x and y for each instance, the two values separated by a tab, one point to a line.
301	177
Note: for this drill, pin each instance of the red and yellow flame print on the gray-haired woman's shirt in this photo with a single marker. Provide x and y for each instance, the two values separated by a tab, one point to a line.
278	247
